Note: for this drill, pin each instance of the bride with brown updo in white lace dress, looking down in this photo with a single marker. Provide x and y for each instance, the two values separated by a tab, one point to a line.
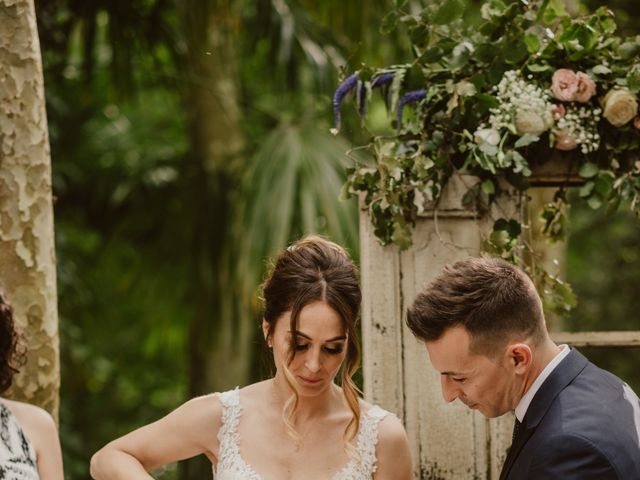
298	424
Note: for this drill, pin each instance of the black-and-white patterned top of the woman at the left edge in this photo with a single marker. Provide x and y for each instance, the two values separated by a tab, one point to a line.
17	456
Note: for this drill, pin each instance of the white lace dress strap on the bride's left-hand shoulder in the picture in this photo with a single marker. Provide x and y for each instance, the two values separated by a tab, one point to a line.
231	465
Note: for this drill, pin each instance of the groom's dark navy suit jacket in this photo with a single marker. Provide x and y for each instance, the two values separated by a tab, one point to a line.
583	423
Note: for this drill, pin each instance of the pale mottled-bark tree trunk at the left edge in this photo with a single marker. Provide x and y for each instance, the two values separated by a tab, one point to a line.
27	256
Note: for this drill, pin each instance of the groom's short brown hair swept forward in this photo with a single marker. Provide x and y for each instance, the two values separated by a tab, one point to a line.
492	299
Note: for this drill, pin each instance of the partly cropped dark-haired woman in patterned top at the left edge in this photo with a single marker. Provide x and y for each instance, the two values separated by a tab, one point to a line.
29	444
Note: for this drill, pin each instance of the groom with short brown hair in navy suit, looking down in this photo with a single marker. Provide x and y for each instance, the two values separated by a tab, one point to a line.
484	330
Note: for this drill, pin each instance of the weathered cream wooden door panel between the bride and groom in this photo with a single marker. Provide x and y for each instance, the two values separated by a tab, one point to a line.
448	441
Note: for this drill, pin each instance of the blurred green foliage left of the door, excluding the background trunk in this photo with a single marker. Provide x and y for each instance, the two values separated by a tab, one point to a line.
124	177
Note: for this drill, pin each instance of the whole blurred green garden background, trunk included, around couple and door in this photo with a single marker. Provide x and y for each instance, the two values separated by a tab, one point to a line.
161	243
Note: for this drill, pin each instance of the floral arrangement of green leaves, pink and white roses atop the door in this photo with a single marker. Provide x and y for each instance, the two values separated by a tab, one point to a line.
528	84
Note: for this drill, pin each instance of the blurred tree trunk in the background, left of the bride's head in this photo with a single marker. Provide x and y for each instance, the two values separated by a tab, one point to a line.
220	341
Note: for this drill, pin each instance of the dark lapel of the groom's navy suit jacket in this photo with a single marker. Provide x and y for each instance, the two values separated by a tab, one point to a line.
560	377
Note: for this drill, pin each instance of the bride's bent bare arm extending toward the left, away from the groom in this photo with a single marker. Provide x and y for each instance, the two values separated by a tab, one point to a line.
188	431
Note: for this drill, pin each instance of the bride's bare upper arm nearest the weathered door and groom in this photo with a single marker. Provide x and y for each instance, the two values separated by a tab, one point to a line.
392	451
